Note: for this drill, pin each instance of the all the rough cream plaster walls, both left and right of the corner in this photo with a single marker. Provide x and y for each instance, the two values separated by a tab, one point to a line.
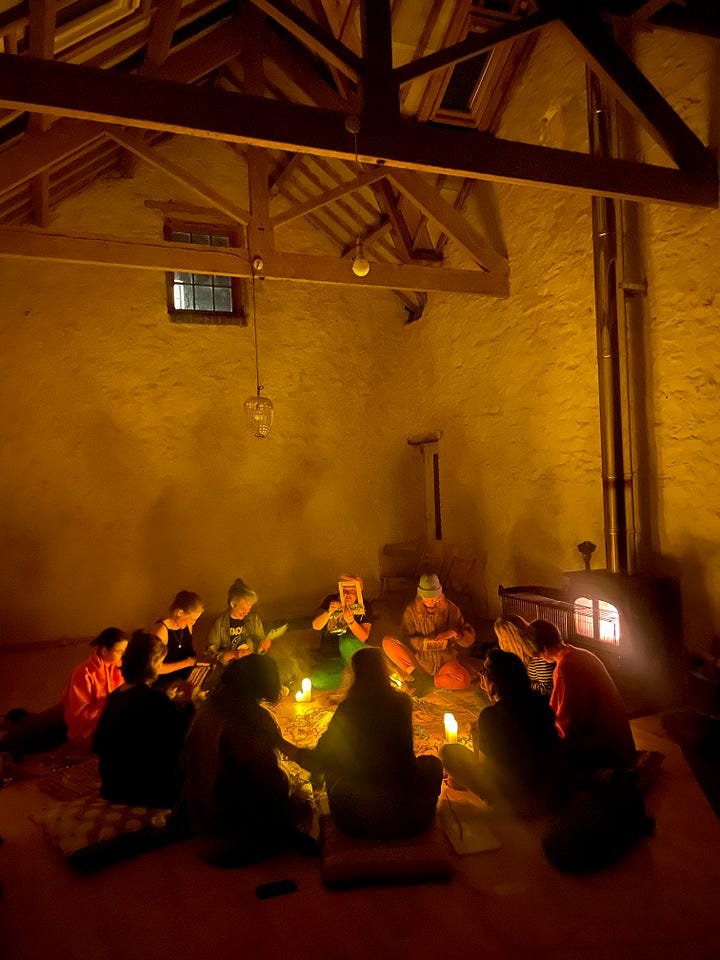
130	473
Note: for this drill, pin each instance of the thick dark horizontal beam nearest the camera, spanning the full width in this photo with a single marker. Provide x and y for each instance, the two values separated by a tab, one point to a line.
69	90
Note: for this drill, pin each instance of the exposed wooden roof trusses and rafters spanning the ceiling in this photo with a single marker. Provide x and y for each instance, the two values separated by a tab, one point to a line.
342	112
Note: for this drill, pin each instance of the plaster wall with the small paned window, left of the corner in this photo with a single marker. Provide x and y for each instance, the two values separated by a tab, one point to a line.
129	471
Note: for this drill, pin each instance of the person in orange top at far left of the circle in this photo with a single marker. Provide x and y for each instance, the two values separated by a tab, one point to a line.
91	682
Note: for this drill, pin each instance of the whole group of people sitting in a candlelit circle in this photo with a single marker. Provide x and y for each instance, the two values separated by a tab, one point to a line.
554	718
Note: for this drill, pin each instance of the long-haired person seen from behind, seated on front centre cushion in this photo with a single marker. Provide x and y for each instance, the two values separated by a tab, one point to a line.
376	786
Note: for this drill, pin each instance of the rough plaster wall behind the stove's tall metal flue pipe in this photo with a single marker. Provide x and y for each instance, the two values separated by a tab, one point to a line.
513	383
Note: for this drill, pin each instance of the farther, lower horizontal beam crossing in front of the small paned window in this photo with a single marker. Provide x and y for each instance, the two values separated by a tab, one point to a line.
26	244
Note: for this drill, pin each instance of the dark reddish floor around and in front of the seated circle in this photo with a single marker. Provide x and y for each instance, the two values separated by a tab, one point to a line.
507	904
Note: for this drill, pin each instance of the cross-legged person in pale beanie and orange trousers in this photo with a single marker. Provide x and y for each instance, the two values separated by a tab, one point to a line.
434	632
